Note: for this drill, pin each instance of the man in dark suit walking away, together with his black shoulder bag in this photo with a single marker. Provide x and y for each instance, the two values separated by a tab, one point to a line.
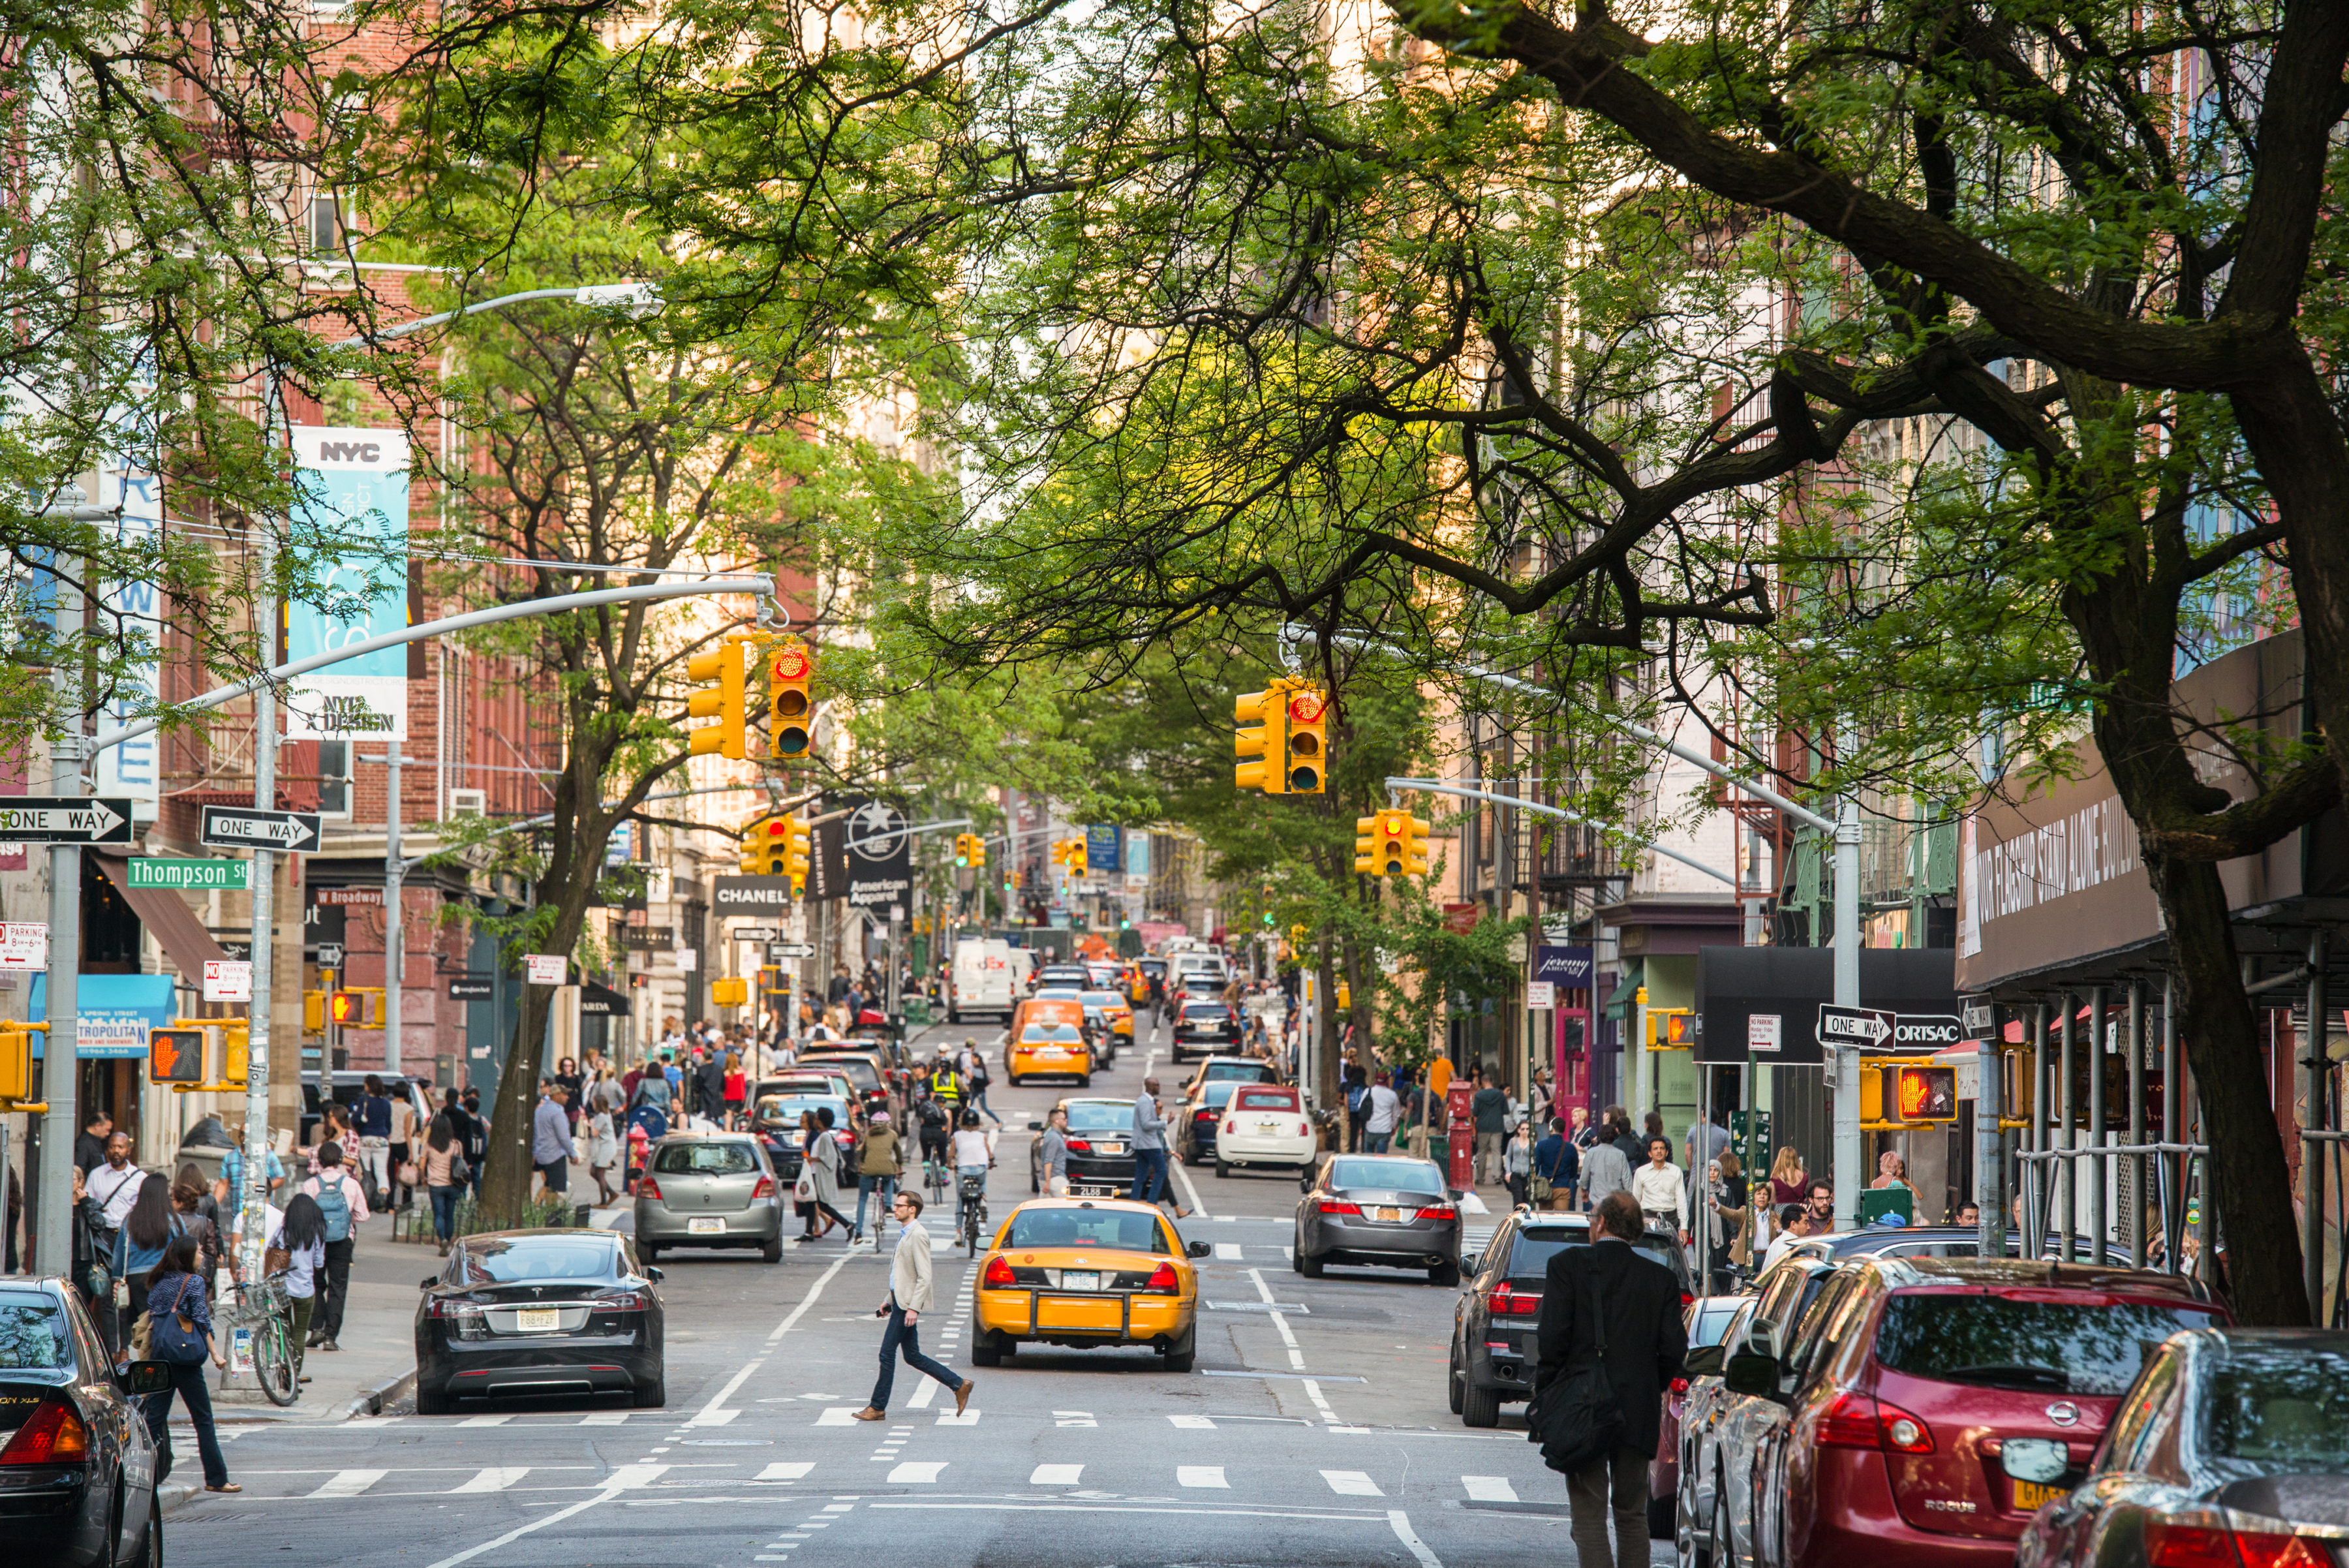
1610	1344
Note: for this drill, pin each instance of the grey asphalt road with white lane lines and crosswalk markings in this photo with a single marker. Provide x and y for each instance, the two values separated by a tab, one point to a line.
1314	1433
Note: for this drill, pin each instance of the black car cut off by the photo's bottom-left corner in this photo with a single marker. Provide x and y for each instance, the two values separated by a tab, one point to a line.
76	1459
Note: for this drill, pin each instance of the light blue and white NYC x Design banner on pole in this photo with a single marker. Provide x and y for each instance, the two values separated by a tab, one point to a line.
361	480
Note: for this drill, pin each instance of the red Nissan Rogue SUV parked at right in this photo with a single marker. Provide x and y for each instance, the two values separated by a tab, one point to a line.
1909	1379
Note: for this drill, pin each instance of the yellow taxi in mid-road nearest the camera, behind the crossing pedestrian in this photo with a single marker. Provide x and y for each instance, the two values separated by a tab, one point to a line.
1089	1271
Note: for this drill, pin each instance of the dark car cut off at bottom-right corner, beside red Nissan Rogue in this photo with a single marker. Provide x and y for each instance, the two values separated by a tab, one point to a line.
2226	1449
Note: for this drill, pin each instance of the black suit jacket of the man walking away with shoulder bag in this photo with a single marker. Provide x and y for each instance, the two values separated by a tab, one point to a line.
1645	1339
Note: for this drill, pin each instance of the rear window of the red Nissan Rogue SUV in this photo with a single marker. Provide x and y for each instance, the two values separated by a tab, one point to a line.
1998	1341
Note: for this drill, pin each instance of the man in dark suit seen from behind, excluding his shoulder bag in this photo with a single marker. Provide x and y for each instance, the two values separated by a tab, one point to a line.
1645	1351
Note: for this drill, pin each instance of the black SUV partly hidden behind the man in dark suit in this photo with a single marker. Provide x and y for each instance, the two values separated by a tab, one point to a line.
1493	1325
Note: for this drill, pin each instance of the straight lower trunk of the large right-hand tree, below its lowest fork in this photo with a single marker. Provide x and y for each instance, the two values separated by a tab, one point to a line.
2216	1022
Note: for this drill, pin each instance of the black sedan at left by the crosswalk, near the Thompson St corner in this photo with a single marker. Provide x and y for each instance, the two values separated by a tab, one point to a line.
539	1313
